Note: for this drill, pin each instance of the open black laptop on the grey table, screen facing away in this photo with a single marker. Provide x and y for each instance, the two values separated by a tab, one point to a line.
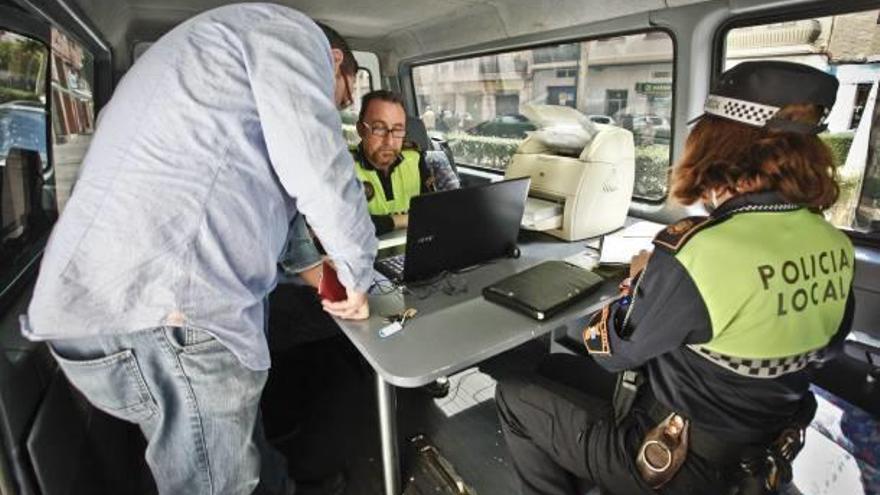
450	230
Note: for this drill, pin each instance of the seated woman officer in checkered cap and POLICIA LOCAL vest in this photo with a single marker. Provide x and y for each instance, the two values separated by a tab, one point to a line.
720	325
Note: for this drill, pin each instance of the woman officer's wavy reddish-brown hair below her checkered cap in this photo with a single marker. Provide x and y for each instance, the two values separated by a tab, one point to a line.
727	155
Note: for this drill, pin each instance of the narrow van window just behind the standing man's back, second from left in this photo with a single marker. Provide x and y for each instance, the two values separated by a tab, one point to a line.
72	110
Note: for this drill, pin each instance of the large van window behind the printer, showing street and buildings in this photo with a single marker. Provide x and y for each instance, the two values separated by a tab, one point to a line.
627	81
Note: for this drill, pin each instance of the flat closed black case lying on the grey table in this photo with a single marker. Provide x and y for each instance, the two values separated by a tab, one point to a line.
543	289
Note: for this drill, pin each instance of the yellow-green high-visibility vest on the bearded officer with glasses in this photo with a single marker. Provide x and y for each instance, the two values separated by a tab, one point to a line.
405	182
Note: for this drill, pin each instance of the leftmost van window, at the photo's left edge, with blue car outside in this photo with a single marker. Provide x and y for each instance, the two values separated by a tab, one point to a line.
26	177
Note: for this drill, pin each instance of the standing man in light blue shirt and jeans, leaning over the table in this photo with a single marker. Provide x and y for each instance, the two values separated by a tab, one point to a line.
152	285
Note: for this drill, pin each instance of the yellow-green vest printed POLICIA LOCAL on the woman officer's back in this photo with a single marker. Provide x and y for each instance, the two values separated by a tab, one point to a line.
775	284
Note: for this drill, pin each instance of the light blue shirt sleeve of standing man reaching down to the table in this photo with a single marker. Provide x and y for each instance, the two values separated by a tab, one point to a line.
291	72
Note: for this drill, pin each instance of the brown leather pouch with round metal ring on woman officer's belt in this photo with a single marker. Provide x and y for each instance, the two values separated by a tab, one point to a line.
663	450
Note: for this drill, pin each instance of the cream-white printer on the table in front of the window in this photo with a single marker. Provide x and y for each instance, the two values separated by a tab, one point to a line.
574	195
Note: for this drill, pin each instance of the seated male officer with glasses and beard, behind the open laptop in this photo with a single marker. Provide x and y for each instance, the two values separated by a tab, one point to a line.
392	175
